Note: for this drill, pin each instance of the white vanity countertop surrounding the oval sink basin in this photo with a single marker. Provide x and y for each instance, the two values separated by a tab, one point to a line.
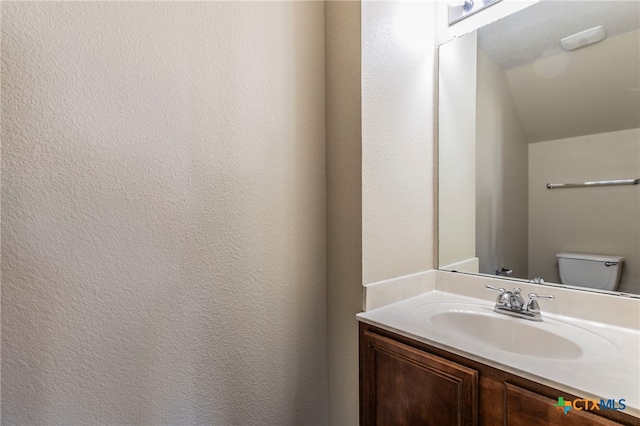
609	375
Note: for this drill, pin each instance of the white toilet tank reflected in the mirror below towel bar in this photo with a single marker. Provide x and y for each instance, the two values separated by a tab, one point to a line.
590	270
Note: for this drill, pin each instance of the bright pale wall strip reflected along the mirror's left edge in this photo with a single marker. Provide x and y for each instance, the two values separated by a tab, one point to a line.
457	150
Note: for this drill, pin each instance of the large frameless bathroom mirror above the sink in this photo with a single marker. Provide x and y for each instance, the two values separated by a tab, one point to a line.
518	112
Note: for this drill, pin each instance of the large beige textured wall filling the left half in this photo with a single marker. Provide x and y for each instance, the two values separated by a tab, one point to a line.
163	221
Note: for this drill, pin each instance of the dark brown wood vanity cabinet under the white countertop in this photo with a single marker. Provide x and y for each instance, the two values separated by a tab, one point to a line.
405	382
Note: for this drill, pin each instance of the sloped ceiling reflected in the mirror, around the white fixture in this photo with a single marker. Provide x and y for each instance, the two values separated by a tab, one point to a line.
561	94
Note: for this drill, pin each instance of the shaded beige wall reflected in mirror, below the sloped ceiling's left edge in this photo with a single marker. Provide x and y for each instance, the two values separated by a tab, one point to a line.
502	214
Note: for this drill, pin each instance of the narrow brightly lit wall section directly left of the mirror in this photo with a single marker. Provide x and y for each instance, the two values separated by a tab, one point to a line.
397	138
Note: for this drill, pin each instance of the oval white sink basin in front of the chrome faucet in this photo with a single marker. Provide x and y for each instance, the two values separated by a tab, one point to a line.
551	339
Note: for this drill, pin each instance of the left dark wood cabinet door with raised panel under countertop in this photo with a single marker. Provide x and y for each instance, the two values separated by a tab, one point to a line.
401	385
